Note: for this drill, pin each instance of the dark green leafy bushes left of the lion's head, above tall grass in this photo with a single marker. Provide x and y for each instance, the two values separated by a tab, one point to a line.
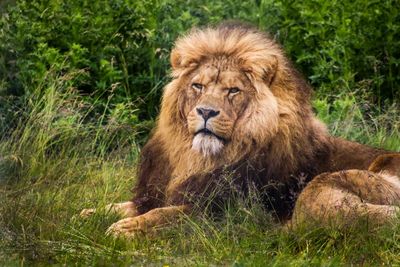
110	44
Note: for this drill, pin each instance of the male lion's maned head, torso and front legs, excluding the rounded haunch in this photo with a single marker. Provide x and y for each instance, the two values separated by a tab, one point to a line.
235	105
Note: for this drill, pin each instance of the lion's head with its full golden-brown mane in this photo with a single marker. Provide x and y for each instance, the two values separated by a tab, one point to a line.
233	92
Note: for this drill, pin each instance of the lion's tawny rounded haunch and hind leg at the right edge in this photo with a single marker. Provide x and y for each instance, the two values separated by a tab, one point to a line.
342	197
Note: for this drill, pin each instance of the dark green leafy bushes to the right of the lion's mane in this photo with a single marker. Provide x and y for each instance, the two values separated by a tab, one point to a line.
341	45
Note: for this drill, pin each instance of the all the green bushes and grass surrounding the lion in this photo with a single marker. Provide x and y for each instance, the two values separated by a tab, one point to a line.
80	86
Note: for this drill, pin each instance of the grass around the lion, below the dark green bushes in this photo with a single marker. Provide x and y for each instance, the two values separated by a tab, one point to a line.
58	162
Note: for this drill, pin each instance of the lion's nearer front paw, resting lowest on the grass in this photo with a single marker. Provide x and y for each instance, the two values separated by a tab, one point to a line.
126	228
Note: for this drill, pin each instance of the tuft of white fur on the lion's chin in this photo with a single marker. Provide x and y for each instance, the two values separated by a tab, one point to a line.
206	144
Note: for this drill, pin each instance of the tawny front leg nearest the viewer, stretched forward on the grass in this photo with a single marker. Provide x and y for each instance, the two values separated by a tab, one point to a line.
147	222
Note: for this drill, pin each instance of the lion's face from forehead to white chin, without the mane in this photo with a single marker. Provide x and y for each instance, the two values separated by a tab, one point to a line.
216	98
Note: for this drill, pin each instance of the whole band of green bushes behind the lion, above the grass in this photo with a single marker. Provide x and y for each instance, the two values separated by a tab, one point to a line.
120	48
